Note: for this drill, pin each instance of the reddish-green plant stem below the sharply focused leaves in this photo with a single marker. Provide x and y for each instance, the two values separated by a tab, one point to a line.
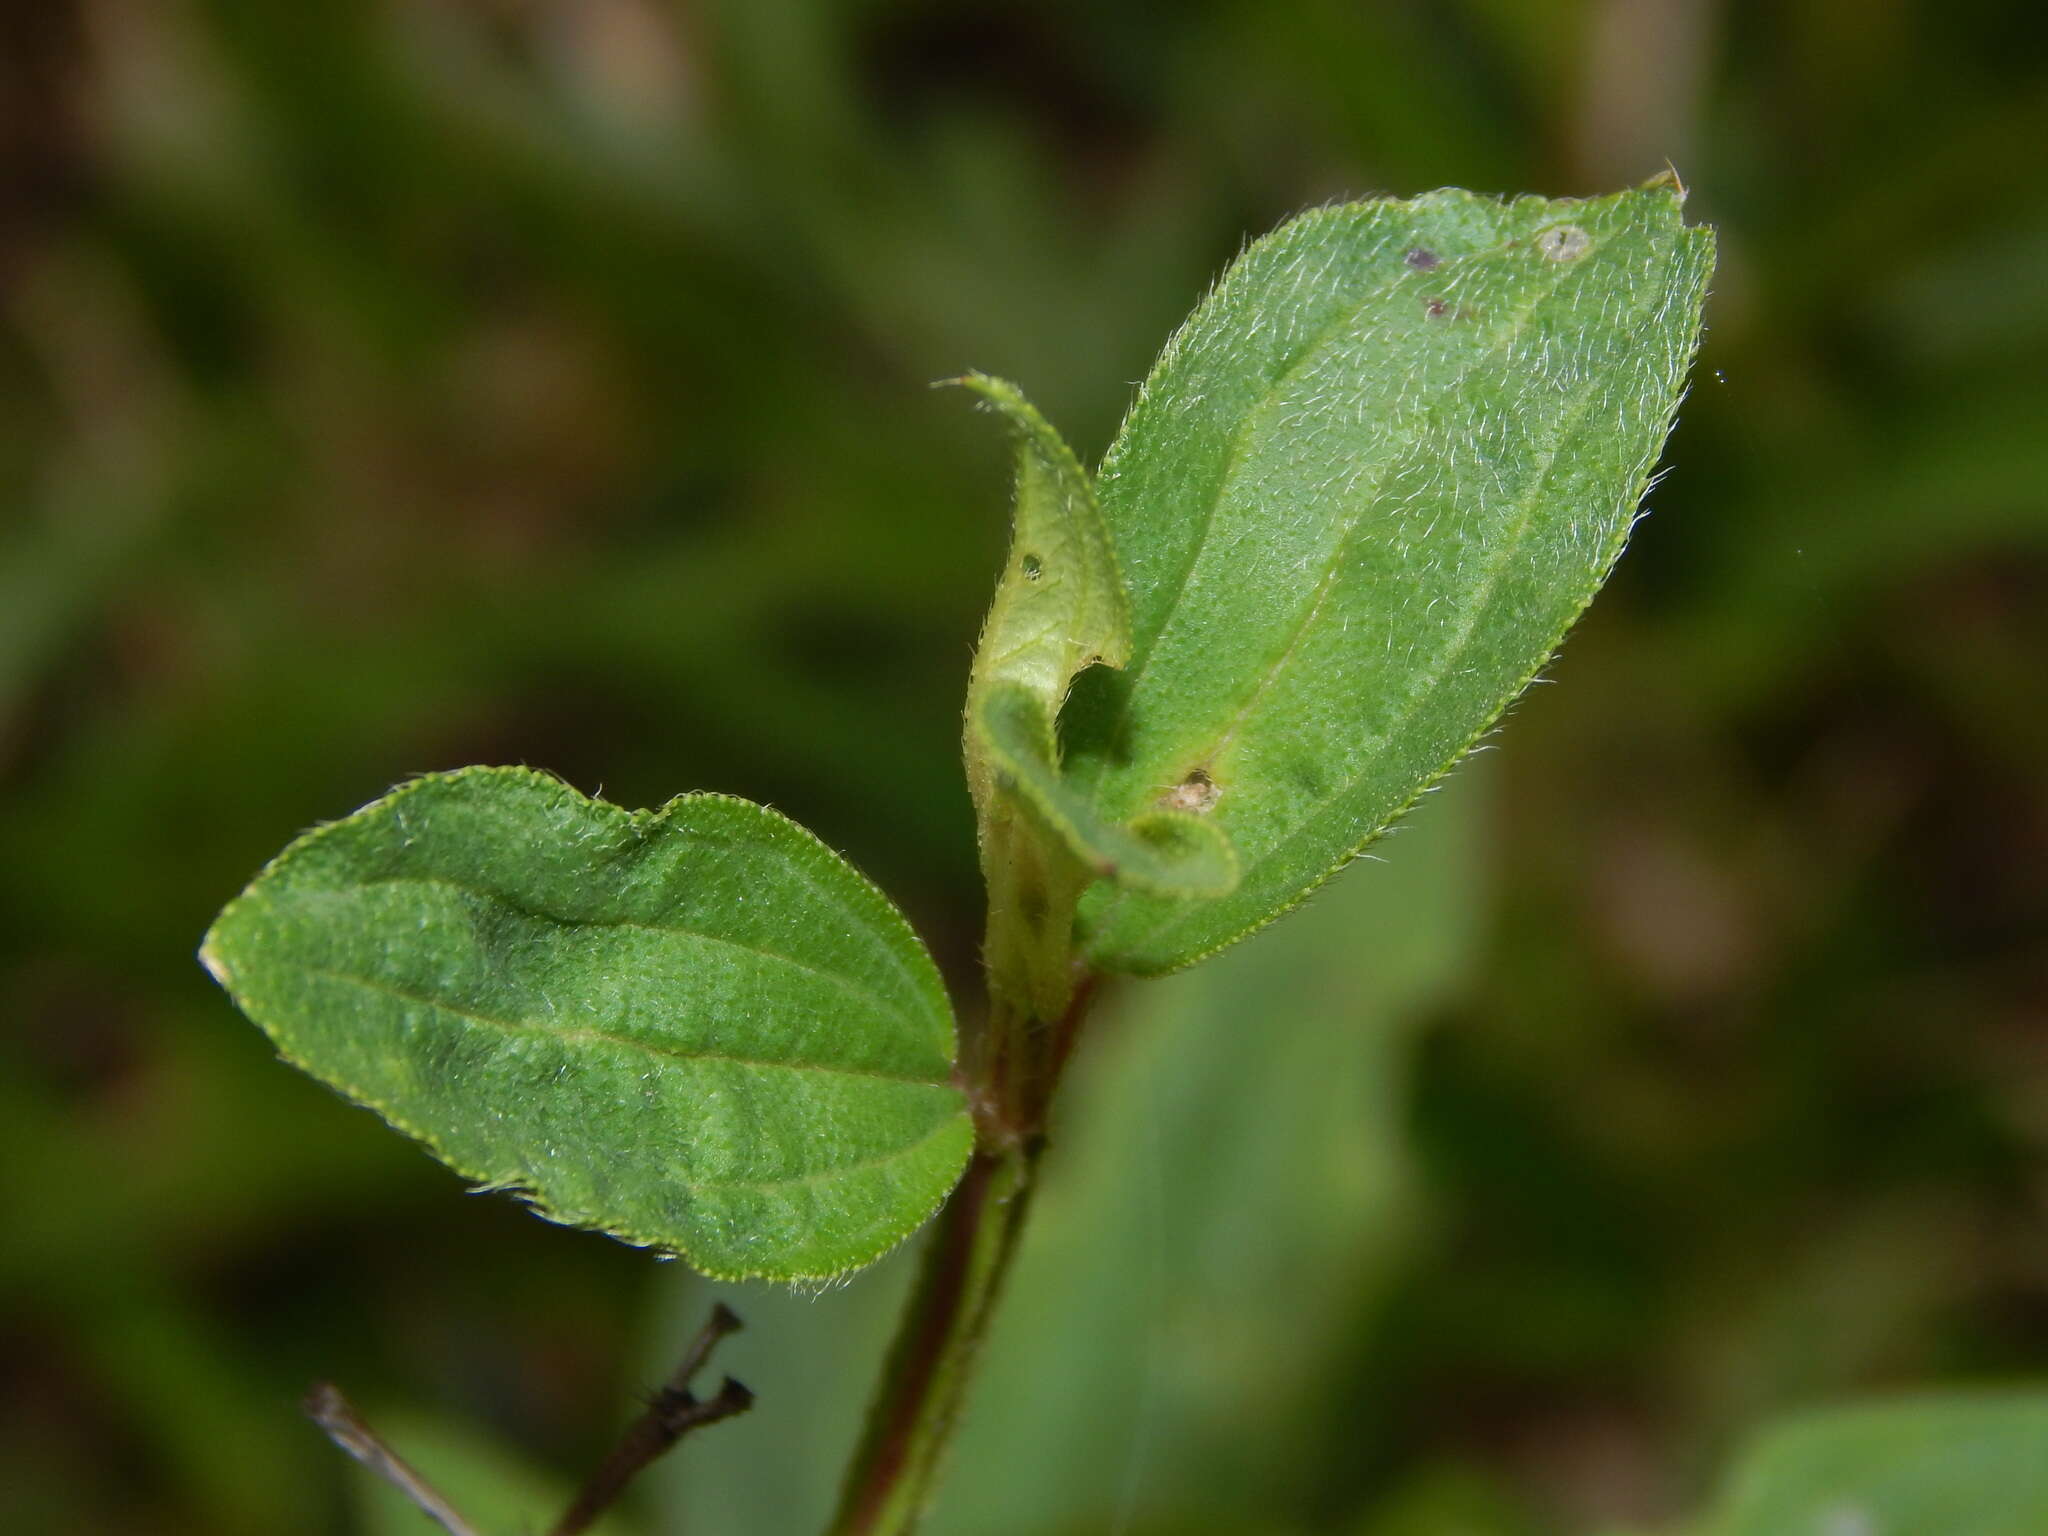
966	1261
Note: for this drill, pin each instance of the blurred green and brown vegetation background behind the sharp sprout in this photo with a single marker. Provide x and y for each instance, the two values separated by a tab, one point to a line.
400	384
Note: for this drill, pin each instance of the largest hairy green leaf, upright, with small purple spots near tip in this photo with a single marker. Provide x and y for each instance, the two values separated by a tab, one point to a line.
1359	503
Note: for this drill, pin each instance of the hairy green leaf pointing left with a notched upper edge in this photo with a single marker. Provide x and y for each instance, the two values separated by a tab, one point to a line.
695	1029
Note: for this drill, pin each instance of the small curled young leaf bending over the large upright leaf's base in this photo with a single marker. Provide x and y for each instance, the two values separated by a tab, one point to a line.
1168	853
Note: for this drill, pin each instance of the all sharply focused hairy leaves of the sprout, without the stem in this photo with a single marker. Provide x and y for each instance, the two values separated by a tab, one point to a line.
1357	505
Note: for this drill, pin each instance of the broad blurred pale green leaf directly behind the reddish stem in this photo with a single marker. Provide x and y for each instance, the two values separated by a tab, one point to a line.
1232	1191
